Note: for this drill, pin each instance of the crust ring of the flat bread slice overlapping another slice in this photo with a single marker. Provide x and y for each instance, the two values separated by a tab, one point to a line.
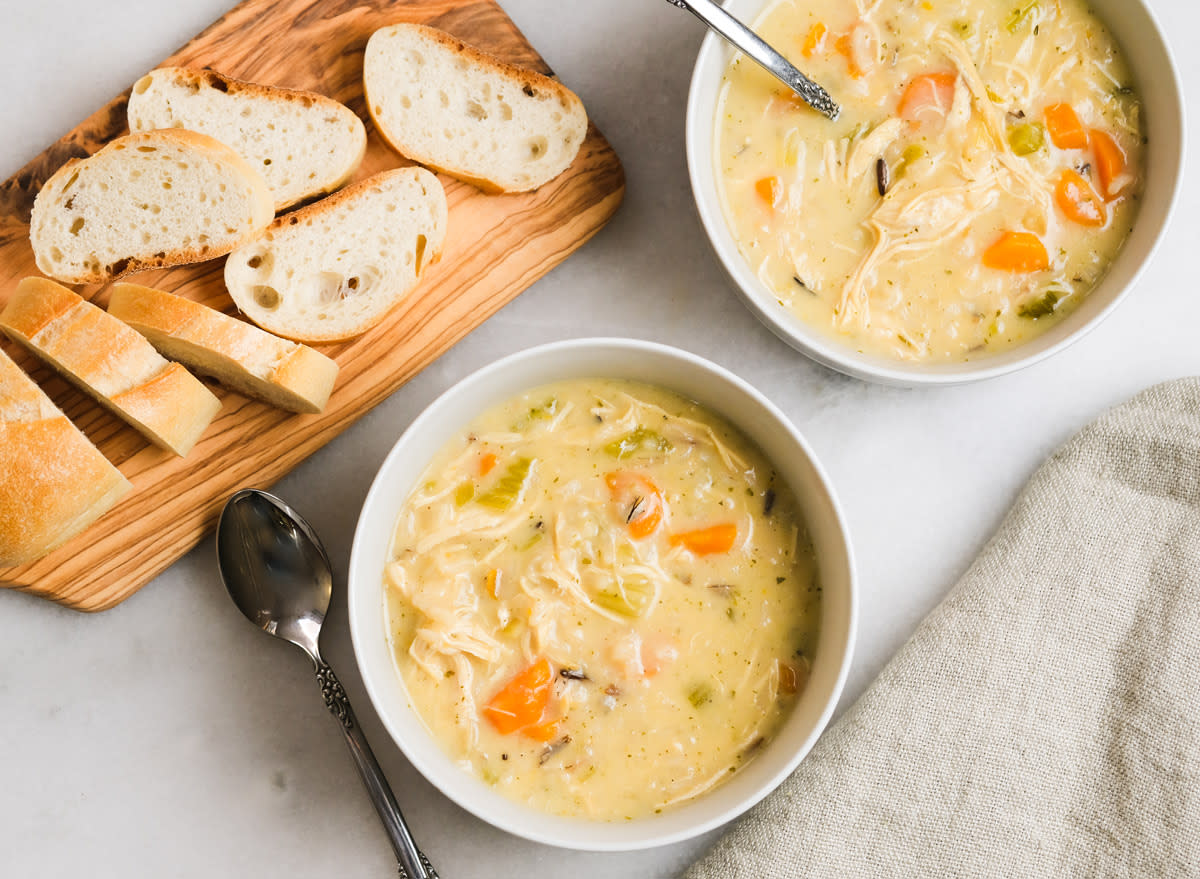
262	207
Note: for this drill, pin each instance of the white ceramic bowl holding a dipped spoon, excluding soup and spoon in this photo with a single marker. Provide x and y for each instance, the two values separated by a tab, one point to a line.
1159	83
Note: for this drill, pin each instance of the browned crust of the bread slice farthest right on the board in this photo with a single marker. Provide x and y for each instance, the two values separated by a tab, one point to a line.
521	77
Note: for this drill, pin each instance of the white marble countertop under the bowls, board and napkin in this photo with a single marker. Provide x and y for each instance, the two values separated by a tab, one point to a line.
169	738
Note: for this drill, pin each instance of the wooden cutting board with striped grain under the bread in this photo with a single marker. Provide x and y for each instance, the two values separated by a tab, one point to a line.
496	247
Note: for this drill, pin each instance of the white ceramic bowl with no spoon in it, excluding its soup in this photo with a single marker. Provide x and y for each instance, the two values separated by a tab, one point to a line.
693	378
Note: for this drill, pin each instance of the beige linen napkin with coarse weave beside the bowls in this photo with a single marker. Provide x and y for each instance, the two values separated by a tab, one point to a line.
1045	721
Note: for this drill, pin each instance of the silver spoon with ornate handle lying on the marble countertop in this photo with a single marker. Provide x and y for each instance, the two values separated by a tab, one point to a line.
279	576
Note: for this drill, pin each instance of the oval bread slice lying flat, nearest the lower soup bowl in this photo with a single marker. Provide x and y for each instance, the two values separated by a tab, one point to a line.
332	271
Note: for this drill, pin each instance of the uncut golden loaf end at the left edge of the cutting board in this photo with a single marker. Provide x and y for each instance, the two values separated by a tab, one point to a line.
56	482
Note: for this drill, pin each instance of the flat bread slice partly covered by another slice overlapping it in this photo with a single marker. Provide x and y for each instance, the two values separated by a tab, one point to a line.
304	145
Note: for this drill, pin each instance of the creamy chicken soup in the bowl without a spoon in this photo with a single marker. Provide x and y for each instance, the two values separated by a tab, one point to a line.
601	600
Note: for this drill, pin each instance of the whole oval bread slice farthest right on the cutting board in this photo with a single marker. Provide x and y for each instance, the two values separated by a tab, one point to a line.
458	110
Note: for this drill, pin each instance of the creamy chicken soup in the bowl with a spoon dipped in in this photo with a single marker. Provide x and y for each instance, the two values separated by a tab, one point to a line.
983	175
